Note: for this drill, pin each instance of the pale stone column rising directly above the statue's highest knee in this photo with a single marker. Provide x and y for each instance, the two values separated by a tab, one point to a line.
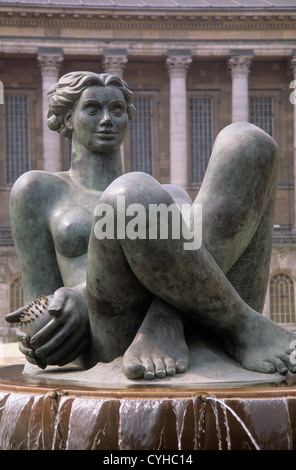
239	64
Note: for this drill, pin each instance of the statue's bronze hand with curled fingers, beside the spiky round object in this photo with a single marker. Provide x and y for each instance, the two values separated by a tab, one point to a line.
65	337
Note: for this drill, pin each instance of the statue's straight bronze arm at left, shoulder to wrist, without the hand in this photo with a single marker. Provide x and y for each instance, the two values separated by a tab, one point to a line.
31	201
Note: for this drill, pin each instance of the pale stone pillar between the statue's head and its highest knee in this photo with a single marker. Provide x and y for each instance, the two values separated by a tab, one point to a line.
178	62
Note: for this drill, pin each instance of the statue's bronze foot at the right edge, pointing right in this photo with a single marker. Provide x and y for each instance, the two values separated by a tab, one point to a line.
261	345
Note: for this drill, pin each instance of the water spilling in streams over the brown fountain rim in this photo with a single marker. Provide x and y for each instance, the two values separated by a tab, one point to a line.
62	421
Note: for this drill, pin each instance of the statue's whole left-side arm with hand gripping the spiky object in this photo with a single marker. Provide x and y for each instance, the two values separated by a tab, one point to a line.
66	336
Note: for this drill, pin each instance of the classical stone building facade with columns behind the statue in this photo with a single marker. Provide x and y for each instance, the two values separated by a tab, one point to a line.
195	66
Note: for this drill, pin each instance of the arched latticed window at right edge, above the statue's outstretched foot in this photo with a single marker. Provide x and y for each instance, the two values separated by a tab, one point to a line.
282	299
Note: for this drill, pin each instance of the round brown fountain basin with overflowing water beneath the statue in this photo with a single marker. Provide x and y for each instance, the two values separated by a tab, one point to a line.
41	414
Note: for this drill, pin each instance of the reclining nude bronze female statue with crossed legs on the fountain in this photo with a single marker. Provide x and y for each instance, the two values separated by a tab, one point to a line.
119	296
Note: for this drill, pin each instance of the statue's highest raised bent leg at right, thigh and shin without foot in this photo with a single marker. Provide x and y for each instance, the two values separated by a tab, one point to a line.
238	197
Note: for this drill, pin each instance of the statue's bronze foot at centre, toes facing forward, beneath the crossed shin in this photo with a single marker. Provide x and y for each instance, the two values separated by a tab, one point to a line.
159	348
